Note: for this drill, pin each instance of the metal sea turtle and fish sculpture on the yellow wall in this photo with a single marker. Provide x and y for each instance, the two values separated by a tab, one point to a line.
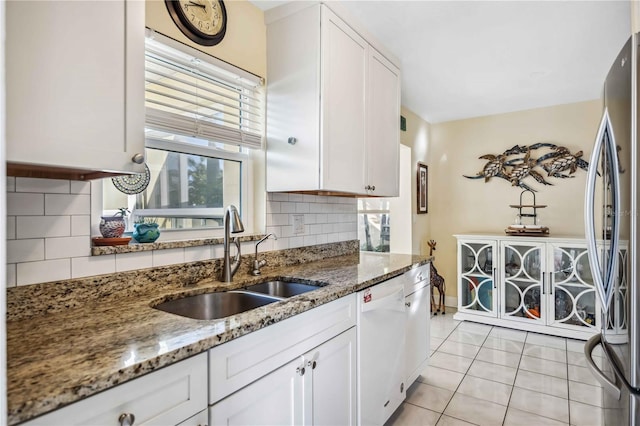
556	161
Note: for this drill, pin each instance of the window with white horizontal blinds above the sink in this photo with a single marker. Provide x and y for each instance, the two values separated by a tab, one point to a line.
203	117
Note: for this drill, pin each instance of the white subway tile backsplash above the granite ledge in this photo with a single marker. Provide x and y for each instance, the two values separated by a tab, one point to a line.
49	231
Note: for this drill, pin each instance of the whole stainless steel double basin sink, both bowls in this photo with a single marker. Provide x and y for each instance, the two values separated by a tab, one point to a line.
210	306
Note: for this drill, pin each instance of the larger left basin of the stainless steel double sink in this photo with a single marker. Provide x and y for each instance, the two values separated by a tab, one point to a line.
216	305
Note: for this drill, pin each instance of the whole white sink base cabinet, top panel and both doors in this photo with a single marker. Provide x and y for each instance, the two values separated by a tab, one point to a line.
300	370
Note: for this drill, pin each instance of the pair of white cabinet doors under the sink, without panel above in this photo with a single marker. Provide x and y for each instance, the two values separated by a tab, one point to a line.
317	388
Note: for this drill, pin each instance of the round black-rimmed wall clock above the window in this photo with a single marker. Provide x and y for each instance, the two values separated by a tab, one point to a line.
202	21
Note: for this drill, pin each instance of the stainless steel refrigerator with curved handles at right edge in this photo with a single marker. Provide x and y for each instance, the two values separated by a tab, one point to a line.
611	227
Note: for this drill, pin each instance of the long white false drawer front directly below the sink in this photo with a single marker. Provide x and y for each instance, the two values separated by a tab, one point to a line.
244	360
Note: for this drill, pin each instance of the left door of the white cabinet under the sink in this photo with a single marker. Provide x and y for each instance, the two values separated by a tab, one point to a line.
275	399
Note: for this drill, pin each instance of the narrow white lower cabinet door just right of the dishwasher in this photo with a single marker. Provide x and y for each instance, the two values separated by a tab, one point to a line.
418	311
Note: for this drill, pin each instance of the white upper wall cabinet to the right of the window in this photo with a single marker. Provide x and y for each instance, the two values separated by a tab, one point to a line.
333	106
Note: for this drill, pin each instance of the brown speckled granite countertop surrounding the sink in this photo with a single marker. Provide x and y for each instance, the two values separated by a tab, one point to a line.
61	356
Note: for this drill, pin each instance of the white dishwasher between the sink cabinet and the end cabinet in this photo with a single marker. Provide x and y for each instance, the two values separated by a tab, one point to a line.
381	351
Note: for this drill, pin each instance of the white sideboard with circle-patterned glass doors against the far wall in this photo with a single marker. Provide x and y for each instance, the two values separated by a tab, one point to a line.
532	283
